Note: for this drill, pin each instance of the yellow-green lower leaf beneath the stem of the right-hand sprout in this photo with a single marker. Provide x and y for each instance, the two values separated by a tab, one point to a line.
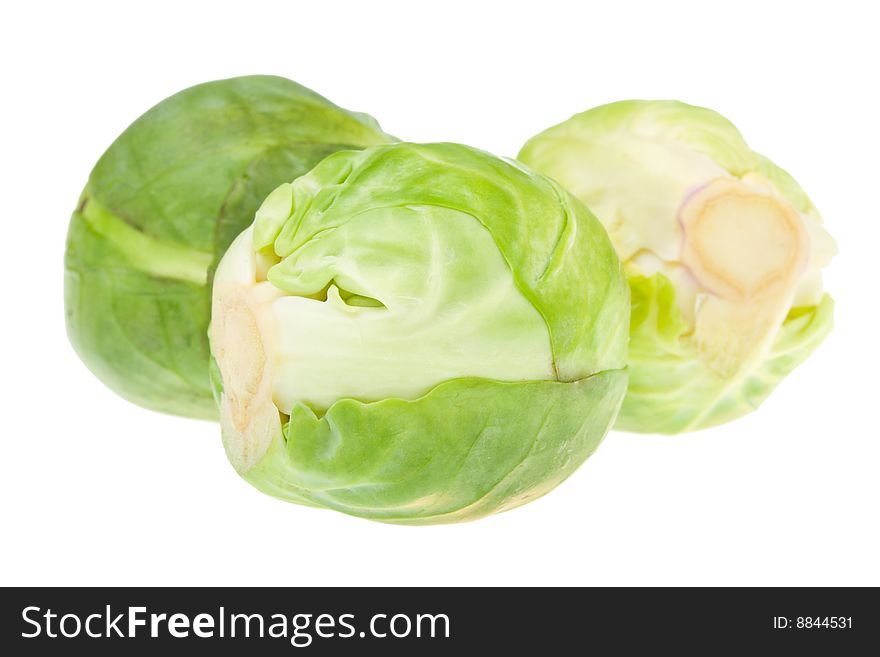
670	389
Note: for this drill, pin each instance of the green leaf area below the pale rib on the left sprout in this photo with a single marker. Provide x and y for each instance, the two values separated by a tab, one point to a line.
142	335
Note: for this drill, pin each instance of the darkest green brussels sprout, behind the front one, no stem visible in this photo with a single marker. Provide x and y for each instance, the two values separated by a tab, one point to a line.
160	208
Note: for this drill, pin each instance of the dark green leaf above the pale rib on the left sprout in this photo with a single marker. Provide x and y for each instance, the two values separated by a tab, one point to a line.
171	170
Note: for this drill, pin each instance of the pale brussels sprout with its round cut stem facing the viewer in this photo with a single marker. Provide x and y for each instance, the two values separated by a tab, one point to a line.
722	248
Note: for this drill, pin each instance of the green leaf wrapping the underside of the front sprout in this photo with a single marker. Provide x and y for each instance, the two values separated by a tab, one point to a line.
468	448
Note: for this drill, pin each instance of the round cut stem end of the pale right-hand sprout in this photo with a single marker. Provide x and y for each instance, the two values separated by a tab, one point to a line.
747	249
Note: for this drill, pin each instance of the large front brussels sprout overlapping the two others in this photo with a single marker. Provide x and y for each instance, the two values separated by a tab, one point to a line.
418	334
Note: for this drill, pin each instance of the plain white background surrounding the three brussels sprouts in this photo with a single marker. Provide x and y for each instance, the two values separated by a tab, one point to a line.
97	491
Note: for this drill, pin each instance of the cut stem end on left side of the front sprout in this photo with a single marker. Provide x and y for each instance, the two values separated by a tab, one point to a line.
248	416
